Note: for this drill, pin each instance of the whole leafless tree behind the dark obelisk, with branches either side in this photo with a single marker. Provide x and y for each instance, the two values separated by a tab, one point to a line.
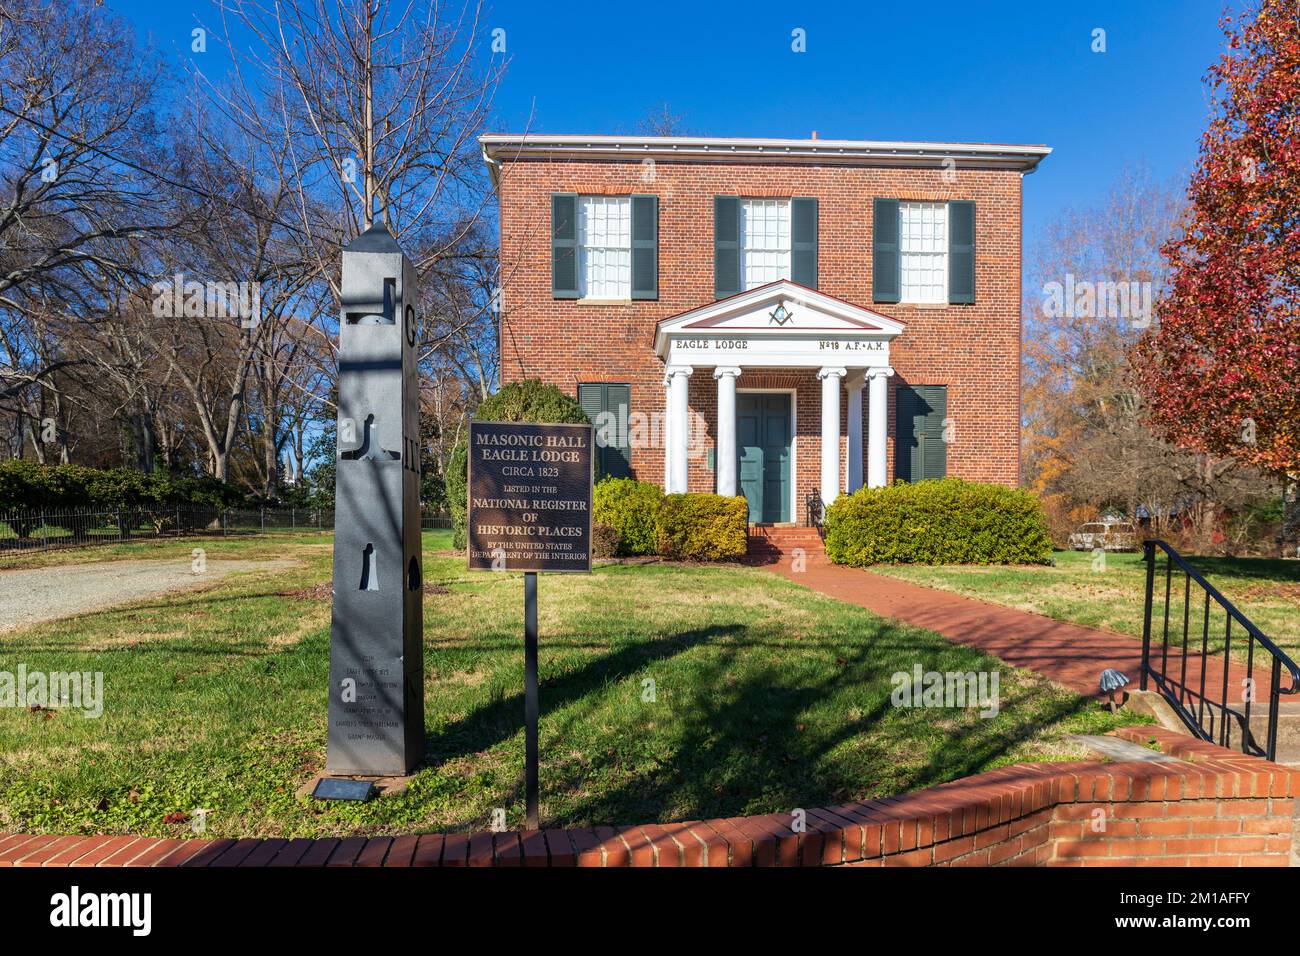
372	111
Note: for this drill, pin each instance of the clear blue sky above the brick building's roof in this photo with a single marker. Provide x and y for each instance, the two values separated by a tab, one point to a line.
983	72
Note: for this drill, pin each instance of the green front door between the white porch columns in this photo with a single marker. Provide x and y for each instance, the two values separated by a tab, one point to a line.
764	442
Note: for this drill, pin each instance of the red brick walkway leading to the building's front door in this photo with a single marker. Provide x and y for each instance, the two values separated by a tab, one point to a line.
1071	655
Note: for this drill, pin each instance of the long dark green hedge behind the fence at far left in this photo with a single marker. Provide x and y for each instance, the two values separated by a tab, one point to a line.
31	486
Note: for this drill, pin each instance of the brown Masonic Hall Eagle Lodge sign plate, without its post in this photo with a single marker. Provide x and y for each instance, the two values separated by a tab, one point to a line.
530	503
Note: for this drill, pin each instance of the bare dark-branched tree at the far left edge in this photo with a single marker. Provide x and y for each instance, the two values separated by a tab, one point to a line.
76	120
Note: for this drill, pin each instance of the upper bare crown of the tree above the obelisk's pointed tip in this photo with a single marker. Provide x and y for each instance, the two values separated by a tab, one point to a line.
375	110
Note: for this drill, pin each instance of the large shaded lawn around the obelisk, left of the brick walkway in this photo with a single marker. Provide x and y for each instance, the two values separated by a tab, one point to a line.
766	698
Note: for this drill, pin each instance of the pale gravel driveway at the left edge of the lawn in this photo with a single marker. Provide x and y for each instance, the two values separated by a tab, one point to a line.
49	594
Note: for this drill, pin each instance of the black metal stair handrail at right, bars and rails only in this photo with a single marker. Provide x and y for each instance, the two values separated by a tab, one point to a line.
1211	716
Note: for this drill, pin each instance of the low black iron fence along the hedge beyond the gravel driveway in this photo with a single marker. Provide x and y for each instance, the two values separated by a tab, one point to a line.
45	529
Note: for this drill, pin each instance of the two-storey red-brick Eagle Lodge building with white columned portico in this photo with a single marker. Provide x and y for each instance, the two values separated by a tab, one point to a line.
779	319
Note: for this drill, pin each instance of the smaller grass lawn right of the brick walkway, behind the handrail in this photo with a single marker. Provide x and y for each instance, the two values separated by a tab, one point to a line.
1264	590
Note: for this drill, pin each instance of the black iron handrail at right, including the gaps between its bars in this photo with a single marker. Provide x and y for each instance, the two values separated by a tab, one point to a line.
1208	669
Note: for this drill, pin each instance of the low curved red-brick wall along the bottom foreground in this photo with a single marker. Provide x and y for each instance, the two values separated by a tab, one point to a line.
1208	808
